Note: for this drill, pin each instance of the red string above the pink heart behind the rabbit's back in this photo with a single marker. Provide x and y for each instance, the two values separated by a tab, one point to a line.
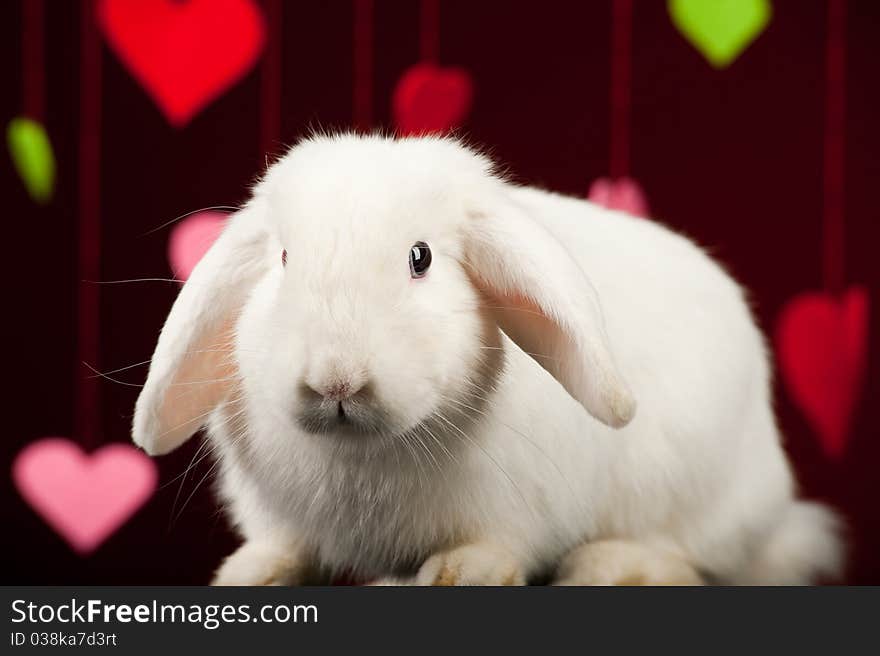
621	75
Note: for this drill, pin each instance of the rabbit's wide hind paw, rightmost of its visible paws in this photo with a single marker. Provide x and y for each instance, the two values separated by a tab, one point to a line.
622	562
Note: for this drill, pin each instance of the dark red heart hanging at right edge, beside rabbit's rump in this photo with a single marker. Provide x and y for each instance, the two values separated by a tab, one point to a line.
822	346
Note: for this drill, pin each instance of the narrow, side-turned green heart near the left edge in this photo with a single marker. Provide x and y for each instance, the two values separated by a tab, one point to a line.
32	156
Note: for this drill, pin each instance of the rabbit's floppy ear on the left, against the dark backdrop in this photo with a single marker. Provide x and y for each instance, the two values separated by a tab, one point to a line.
192	368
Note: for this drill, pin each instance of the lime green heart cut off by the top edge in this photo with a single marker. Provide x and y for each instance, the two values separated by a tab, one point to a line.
720	29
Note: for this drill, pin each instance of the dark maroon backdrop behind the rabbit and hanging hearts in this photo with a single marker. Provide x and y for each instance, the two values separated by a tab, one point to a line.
732	158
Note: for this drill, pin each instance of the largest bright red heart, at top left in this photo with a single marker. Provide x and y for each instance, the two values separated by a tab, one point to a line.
185	54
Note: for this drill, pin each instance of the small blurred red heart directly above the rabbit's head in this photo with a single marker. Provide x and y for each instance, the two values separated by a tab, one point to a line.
428	98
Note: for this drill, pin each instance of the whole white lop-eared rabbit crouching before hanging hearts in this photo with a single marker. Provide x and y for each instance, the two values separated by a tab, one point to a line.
410	366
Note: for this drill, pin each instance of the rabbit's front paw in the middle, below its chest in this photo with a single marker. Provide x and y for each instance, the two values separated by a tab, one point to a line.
473	564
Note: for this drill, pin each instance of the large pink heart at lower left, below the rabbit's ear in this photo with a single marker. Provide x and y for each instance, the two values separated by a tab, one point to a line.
83	497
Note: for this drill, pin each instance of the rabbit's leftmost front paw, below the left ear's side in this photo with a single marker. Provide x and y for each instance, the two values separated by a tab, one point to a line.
258	563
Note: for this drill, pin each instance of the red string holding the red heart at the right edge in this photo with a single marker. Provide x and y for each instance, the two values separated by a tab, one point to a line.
833	164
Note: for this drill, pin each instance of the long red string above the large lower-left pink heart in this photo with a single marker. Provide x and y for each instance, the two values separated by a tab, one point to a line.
88	415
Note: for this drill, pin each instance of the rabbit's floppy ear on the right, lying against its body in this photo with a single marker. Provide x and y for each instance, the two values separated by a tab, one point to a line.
544	302
